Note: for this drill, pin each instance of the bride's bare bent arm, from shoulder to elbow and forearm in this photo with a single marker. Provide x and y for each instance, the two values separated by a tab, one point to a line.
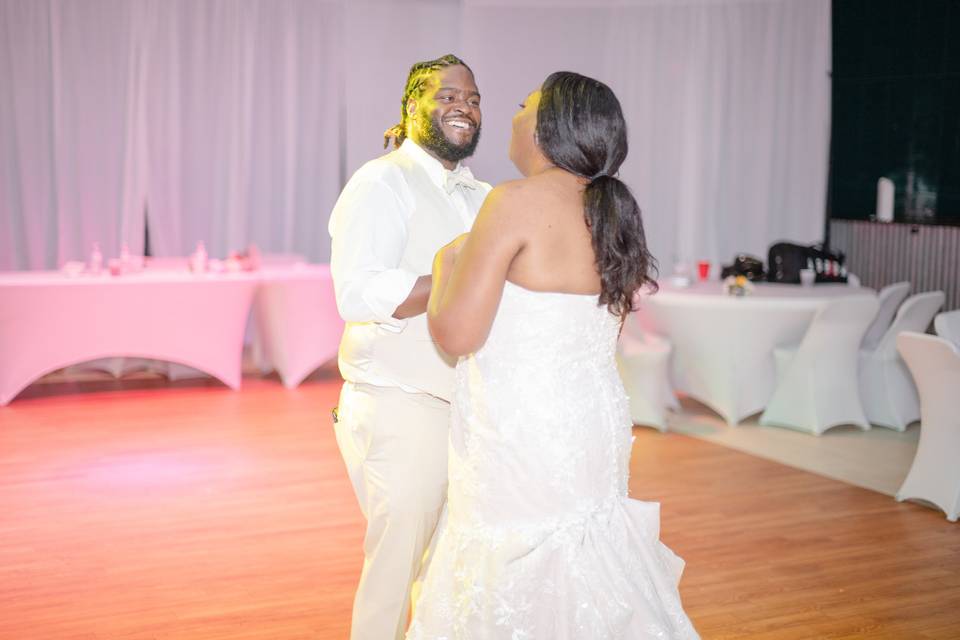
469	274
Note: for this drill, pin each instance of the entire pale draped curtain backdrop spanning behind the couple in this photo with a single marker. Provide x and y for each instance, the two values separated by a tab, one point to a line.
237	121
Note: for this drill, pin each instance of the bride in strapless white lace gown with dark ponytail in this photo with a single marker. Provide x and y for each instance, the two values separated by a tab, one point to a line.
540	541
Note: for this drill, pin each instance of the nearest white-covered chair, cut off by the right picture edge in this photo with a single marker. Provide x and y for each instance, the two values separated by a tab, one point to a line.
935	473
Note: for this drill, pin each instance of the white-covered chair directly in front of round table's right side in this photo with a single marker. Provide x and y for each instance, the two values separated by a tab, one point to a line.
817	381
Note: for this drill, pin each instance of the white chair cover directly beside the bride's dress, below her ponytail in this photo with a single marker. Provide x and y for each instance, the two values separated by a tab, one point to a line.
643	359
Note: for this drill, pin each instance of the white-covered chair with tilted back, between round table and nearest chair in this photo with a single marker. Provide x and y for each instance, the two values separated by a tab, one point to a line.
886	387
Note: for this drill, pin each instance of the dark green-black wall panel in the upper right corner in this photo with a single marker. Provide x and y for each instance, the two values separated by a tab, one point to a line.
896	108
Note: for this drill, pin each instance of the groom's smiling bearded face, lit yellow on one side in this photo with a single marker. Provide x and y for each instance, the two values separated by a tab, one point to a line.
445	120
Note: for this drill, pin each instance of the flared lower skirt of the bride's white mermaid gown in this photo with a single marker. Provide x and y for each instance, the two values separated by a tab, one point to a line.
602	575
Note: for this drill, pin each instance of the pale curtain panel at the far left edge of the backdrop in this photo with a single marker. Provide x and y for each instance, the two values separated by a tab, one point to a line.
67	143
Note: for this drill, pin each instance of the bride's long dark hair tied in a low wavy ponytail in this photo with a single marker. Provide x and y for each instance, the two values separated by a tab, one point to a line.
580	128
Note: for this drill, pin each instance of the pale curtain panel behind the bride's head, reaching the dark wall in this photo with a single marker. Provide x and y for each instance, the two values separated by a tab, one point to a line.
727	104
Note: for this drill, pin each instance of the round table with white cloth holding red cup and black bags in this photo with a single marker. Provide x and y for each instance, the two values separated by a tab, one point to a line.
723	345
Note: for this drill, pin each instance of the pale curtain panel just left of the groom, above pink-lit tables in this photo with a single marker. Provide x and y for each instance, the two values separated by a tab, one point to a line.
242	105
